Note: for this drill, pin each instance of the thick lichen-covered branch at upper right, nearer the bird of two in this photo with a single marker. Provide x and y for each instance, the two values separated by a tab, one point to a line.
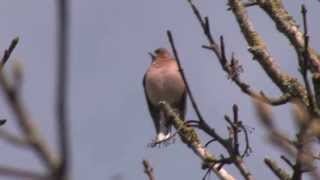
259	51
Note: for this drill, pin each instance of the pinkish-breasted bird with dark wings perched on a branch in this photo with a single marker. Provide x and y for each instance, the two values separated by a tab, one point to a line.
163	82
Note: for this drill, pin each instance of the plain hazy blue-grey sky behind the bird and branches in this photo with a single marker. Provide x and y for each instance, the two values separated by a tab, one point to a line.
110	41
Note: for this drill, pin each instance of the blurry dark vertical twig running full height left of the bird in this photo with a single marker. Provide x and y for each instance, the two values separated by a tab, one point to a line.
62	87
